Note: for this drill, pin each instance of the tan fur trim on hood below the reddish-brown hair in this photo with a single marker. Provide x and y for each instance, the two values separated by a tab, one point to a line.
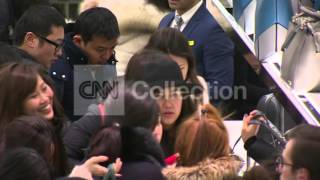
209	169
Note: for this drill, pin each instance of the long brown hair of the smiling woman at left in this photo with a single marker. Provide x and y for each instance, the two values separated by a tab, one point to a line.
18	81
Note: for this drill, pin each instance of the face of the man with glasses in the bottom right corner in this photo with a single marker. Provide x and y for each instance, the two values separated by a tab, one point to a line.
286	168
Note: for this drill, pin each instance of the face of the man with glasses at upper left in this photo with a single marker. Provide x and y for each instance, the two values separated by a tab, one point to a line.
50	47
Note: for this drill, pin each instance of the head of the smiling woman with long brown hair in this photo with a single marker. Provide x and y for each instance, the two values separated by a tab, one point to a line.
27	90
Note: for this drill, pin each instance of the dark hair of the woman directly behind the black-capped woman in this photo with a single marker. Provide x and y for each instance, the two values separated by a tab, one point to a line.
172	41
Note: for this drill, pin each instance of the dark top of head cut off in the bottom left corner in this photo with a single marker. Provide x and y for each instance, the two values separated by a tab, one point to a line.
23	163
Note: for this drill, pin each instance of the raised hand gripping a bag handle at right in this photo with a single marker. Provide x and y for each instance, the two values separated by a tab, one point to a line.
249	130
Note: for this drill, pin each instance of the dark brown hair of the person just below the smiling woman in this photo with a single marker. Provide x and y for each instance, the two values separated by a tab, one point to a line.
37	133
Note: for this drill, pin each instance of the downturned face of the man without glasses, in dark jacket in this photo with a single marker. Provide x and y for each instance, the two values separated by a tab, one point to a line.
99	49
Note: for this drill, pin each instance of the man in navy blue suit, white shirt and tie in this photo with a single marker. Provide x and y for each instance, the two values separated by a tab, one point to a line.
212	48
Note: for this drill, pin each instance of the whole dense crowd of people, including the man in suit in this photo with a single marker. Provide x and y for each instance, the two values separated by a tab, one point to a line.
161	120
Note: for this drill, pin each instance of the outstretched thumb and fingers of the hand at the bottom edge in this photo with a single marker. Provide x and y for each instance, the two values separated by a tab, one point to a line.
93	166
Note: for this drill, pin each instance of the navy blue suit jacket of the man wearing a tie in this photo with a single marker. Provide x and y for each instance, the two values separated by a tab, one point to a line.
212	48
